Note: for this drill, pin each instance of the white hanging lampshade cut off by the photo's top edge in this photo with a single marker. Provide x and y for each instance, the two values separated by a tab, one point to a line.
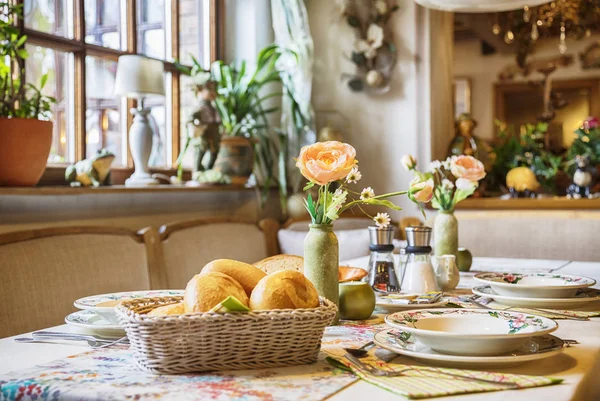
479	6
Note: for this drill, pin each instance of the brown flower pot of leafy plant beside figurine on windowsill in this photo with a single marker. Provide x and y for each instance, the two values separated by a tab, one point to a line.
235	158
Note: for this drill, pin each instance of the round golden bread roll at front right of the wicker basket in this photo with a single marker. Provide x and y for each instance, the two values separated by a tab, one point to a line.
286	289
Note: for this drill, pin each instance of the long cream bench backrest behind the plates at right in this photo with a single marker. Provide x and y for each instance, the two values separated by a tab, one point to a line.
551	234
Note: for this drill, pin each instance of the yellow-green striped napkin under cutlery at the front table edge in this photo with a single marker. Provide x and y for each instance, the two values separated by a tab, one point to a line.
428	382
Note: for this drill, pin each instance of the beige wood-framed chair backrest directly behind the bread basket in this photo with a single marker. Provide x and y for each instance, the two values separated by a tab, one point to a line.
188	246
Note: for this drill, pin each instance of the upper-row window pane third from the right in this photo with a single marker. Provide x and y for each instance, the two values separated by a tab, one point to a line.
103	23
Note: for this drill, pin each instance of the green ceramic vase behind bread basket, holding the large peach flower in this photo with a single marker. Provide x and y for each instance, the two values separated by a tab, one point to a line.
321	261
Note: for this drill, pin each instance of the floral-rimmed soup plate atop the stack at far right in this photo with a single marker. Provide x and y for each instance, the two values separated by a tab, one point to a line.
535	285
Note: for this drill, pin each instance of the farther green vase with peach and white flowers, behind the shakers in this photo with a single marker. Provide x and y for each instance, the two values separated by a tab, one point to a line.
445	184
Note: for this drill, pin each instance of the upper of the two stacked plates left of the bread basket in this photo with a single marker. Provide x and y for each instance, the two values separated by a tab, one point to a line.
104	304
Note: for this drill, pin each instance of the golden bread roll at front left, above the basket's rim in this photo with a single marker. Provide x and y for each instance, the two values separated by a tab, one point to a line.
204	291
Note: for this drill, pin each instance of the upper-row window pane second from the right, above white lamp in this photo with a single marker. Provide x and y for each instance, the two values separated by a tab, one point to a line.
152	38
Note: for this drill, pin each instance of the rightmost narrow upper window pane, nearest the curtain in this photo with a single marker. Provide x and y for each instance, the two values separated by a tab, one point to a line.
193	32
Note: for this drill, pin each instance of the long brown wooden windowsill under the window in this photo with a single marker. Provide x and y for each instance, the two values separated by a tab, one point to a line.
115	189
